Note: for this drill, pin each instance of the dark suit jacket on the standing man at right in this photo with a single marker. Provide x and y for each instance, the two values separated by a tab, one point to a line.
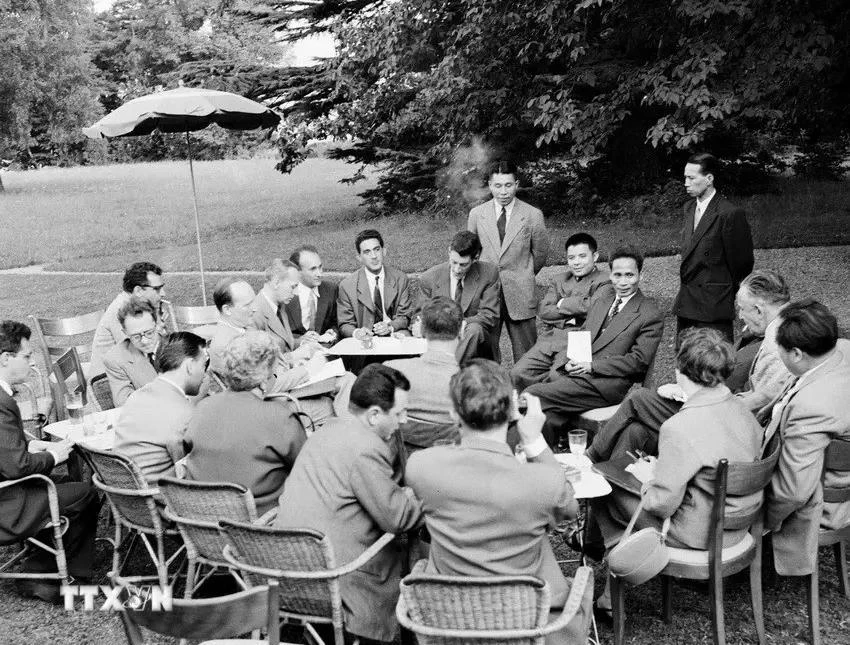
715	258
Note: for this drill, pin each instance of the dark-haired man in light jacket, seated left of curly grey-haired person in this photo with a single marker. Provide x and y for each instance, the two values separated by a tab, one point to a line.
154	419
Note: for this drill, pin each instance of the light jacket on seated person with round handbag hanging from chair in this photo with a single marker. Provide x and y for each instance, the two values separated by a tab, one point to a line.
712	425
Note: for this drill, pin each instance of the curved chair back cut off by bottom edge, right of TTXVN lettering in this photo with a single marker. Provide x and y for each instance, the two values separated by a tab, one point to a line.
220	617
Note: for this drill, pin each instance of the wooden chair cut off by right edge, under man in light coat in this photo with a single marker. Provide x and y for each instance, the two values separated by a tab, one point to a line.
836	458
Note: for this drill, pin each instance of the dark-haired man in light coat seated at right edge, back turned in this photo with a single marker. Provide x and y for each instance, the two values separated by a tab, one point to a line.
813	411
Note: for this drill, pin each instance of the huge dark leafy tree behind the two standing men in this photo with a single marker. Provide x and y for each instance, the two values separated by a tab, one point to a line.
609	91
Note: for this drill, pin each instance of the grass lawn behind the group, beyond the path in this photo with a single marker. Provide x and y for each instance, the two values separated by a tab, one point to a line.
104	218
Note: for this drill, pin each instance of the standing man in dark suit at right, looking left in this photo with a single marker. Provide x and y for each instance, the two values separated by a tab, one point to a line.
717	252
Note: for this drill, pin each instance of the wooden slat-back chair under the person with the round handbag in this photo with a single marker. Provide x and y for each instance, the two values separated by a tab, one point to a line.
715	563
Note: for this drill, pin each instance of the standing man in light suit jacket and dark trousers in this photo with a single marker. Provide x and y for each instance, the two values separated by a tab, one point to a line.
513	237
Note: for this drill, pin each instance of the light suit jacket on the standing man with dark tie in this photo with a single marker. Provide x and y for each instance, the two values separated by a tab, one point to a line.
519	256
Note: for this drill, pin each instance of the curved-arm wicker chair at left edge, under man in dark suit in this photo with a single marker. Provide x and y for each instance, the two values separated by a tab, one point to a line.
57	522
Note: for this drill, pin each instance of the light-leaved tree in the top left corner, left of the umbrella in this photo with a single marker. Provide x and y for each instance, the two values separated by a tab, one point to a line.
48	89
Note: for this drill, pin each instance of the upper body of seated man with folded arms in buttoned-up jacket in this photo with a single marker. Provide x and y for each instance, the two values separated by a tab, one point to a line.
568	298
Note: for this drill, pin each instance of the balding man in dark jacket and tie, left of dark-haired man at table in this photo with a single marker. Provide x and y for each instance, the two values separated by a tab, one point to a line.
312	313
